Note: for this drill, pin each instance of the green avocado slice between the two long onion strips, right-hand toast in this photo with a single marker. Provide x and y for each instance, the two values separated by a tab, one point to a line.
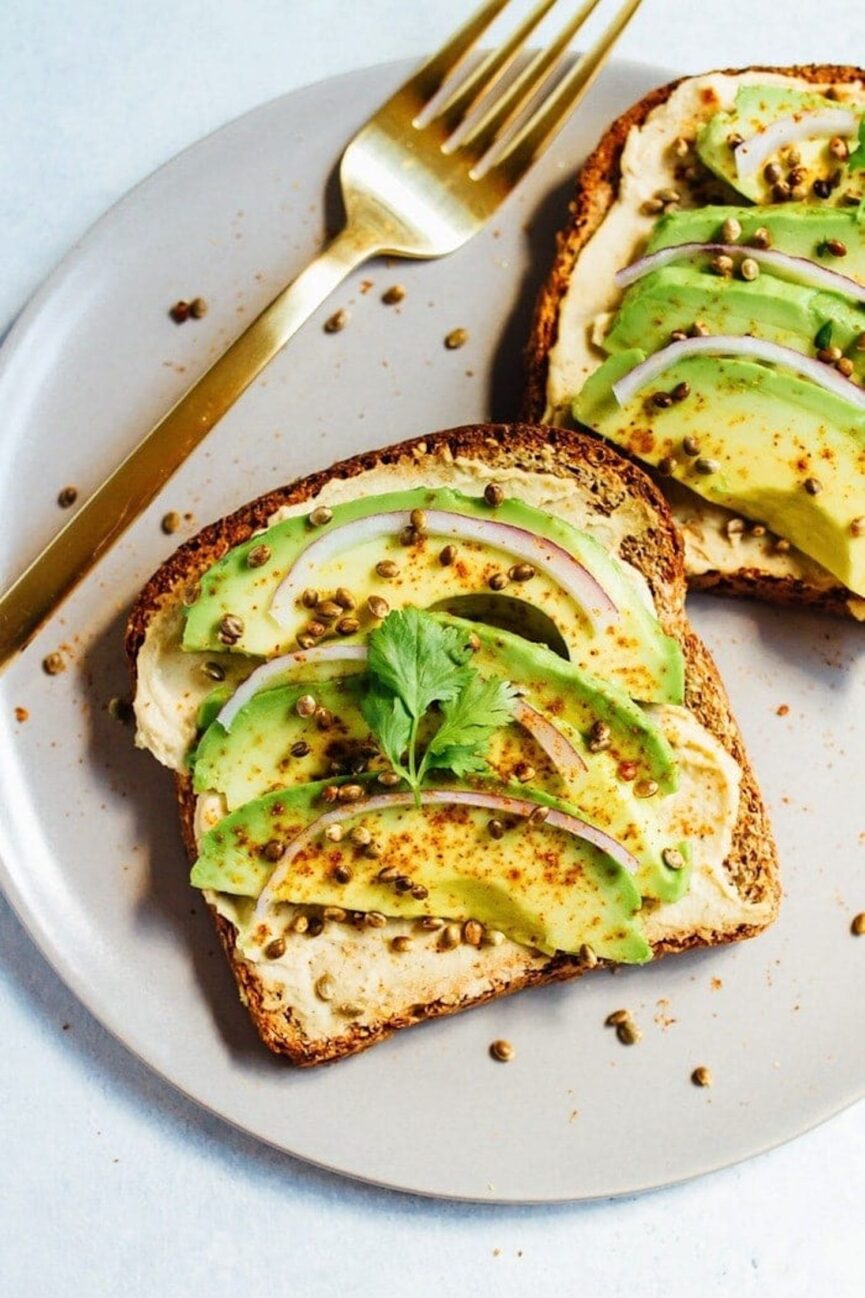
679	295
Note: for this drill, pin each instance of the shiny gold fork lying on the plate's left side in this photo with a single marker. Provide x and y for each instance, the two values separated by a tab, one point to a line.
412	189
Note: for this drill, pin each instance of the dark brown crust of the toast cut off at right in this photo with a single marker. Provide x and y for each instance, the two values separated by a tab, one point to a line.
597	190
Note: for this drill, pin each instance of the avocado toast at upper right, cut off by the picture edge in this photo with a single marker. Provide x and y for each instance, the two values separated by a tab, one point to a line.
706	312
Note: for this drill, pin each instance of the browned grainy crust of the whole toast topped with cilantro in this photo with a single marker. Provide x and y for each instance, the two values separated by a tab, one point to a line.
606	476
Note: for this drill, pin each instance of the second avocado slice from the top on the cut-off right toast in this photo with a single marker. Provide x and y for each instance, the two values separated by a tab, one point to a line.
798	229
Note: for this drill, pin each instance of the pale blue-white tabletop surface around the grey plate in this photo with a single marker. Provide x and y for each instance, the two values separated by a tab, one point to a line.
112	1183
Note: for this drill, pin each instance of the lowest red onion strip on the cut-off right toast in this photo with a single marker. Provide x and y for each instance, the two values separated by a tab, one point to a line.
754	349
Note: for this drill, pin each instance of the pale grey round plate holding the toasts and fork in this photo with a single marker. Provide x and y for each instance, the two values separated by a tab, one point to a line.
93	860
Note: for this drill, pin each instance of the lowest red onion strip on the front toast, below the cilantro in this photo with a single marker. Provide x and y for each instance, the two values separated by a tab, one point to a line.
501	803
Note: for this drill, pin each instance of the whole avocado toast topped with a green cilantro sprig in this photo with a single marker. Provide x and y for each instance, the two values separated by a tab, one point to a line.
398	800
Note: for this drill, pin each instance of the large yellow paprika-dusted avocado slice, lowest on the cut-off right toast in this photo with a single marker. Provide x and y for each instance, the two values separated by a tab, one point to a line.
771	437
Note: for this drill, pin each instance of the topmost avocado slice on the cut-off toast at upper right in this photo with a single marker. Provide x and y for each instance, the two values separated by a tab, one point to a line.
757	107
